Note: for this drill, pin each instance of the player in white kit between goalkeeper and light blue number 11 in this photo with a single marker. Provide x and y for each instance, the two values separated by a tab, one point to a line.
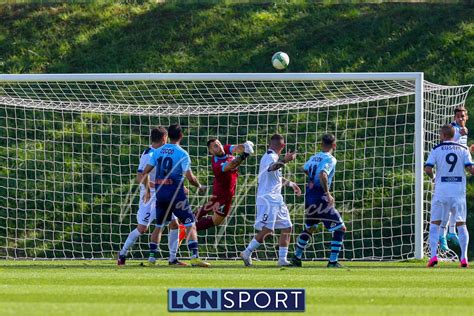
272	212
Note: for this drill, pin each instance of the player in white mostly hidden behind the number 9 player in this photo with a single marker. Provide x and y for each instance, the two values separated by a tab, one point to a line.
460	136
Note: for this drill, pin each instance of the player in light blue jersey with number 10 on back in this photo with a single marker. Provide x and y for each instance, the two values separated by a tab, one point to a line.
173	164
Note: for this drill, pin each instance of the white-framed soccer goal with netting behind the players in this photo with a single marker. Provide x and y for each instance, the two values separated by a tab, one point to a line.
70	147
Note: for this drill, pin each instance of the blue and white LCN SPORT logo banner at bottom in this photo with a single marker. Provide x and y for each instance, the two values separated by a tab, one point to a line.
235	300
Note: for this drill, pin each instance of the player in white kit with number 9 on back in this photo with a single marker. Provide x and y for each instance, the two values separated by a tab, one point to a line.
449	198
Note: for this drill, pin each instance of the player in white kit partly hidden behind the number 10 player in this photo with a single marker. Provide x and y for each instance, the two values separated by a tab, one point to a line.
147	206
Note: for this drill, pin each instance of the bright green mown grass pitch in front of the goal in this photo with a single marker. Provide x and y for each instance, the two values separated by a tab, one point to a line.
101	288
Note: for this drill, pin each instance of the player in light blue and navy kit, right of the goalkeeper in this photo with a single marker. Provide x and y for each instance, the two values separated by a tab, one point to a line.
319	203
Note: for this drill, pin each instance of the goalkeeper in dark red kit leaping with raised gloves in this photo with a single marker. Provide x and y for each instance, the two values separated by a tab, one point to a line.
225	167
